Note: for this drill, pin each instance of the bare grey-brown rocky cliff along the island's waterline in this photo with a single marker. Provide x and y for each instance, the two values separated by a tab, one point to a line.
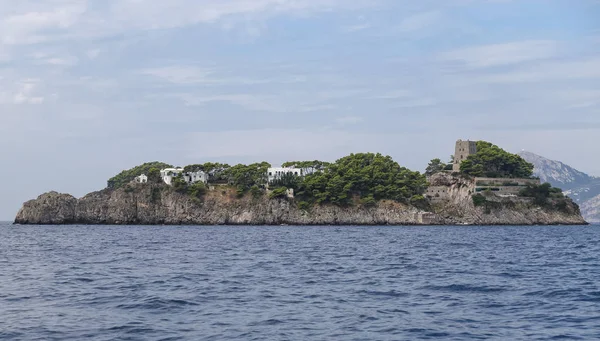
160	204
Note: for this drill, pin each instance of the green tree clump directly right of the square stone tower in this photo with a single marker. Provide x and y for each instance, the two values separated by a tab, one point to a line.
494	162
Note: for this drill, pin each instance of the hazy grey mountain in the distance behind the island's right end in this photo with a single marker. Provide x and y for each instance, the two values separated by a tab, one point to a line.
583	188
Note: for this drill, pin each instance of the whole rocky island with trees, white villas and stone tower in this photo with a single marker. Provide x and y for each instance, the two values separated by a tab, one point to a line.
482	184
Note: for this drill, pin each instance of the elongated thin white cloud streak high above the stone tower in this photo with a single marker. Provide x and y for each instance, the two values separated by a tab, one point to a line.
503	54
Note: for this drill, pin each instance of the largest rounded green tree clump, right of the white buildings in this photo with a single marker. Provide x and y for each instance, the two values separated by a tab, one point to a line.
366	176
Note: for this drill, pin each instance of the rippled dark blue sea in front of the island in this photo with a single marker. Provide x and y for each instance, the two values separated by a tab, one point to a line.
299	283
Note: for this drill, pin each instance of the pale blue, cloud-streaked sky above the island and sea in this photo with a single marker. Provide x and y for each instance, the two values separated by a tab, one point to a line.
91	87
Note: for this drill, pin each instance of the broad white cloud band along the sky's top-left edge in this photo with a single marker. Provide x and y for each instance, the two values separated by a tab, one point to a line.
31	22
